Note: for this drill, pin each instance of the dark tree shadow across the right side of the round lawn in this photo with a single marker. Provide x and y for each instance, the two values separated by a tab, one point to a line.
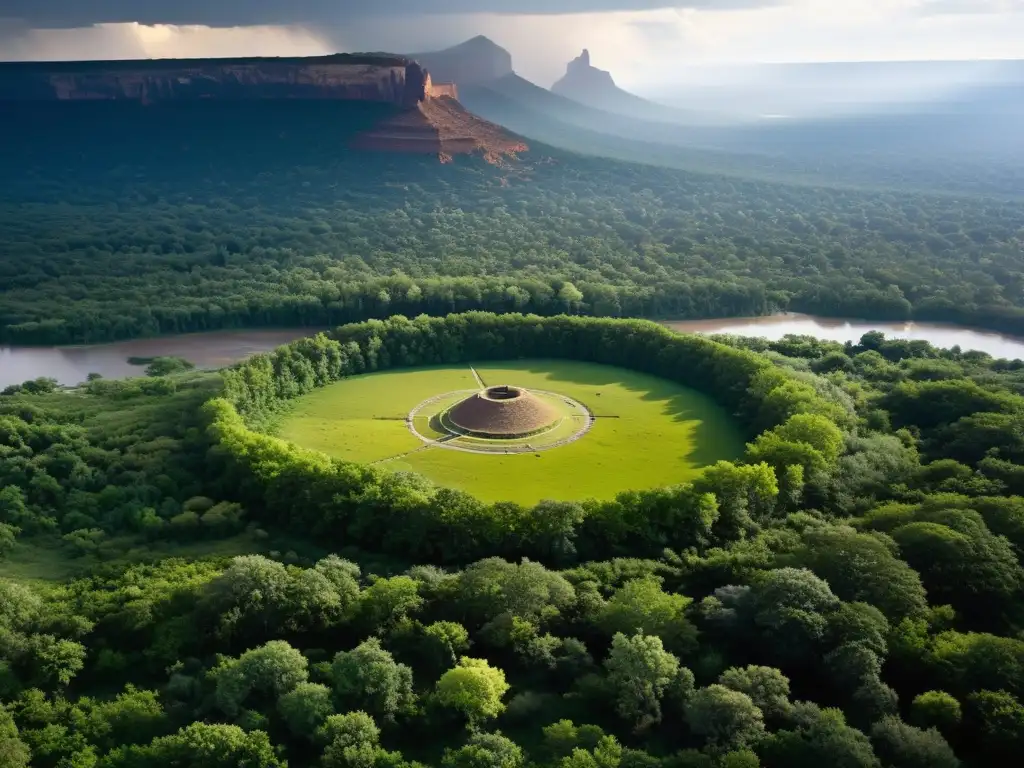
716	436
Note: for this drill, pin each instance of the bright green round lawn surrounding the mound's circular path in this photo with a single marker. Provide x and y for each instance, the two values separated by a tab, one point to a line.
650	432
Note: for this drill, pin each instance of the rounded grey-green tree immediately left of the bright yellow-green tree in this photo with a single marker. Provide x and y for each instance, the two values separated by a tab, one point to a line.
368	678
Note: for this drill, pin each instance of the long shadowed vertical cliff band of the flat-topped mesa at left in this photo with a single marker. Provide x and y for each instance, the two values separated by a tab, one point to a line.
393	80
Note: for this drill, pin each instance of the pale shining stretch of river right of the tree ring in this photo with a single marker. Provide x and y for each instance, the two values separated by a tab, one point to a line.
937	334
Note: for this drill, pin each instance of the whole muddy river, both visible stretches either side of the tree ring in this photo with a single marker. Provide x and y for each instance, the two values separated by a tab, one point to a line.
70	365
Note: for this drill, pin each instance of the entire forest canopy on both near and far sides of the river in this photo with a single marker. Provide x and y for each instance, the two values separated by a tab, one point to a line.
180	587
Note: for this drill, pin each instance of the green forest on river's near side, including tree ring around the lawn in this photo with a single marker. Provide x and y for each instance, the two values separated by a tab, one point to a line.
847	595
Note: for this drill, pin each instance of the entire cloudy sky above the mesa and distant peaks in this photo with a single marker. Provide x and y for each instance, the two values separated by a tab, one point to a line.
645	44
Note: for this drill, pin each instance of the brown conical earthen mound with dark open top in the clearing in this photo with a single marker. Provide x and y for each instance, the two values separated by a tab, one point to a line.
503	412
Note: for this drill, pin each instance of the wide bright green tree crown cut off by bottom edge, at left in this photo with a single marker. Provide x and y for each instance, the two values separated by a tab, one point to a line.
200	746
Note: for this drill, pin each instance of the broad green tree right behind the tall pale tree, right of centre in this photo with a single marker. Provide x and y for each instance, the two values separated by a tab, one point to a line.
642	606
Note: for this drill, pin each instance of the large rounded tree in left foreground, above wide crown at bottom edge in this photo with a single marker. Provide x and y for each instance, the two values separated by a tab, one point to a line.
272	670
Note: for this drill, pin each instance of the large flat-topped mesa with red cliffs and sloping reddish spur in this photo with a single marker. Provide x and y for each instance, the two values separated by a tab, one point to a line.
426	117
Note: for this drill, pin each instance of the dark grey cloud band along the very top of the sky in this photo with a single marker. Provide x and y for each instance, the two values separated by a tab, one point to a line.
242	13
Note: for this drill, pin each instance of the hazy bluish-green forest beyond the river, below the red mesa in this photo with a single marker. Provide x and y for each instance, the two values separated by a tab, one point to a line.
120	222
